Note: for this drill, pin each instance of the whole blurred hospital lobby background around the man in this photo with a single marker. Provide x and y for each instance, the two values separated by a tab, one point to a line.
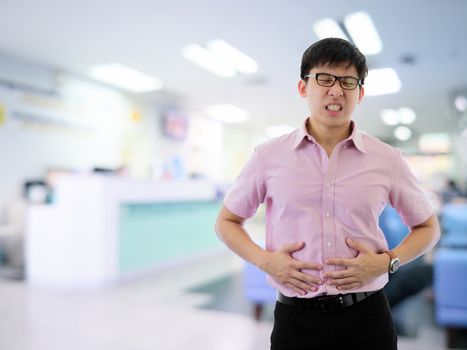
122	125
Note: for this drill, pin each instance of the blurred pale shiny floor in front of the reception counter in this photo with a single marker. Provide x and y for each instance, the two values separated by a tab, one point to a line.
170	310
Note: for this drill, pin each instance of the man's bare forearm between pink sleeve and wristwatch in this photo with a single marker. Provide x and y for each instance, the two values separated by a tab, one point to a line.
419	241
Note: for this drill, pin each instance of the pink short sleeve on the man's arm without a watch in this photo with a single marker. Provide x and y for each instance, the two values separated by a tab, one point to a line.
249	190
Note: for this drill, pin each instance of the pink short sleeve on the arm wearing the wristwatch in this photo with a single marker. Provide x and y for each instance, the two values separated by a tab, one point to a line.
406	194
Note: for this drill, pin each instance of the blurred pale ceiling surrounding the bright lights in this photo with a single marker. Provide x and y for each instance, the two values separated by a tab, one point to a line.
425	41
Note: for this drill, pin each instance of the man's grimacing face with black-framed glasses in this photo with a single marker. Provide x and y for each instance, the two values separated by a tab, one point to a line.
332	106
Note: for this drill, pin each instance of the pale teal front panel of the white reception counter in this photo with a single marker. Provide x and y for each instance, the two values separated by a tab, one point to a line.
150	234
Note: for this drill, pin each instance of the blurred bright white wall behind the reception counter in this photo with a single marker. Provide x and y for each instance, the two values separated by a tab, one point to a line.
50	119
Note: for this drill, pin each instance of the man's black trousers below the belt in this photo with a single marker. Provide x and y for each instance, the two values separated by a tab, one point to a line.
365	325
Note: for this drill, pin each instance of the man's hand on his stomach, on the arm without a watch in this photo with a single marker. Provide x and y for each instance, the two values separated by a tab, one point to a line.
287	271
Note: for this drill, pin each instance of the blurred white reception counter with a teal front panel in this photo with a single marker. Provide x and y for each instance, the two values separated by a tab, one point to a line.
101	229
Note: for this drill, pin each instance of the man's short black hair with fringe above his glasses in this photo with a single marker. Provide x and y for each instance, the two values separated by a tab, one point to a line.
333	52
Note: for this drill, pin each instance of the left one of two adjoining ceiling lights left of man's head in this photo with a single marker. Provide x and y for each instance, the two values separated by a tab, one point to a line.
208	60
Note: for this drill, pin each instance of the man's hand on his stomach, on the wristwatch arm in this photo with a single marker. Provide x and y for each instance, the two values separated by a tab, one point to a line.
359	270
